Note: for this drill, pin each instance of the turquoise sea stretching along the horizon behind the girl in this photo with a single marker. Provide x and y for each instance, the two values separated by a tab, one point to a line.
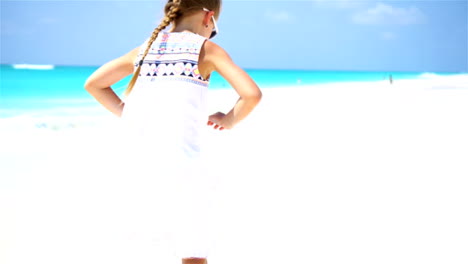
24	90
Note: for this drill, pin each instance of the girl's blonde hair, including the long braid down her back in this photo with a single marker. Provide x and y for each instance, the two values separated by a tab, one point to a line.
174	10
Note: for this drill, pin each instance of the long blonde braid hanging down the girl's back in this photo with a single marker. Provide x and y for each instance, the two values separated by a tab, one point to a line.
172	13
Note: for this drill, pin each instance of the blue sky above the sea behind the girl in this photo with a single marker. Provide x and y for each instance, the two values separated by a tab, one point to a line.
370	35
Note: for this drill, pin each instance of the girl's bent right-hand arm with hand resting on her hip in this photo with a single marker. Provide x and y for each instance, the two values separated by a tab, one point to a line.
217	59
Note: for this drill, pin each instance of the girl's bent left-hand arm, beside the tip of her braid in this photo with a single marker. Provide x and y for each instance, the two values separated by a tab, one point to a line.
99	83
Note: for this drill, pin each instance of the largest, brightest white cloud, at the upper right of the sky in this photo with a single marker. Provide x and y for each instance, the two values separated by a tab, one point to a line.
387	14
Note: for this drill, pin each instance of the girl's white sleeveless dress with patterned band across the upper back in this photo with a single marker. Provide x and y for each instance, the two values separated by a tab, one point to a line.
165	116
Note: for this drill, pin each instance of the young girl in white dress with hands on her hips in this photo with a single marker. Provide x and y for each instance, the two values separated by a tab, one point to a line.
165	108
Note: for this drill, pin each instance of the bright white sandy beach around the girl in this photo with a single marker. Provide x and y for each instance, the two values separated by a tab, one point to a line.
340	173
